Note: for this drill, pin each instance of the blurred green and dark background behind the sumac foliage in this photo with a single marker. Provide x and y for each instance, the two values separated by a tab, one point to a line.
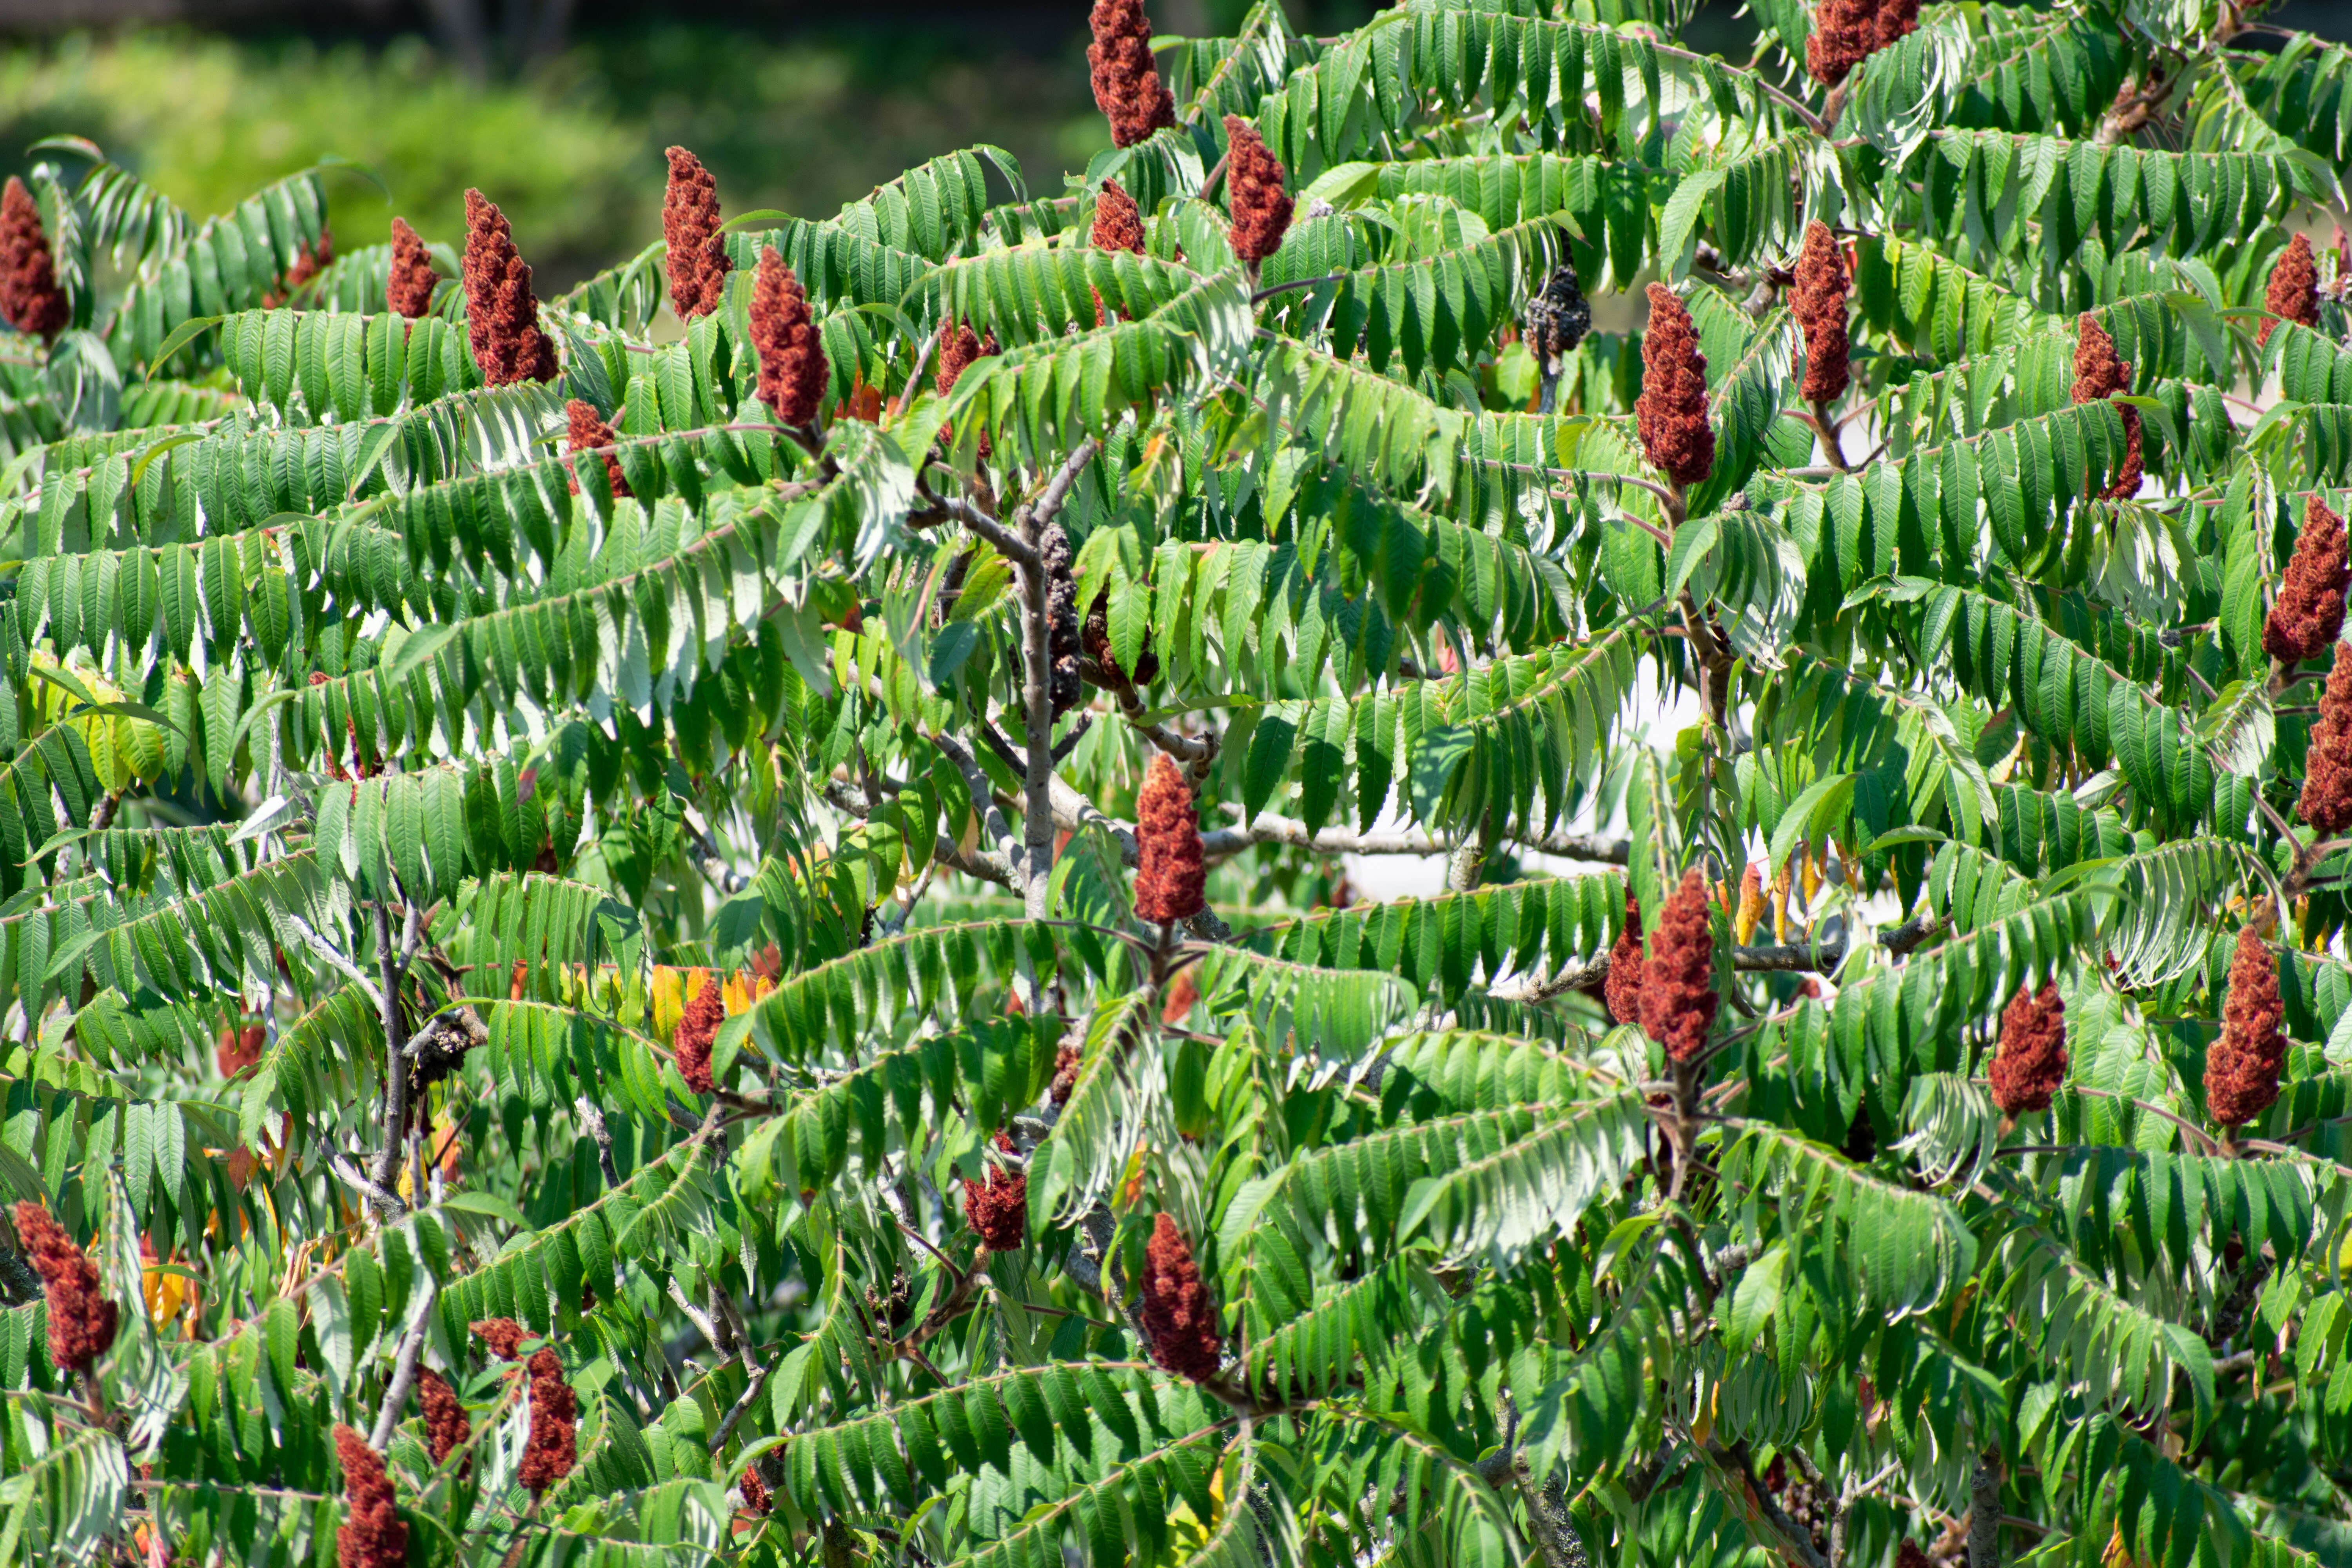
559	109
